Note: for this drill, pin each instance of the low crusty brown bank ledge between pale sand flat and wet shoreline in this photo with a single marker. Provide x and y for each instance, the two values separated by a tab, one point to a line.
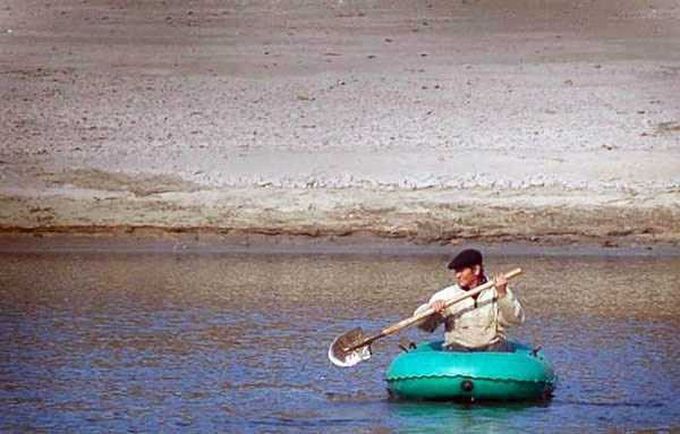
434	217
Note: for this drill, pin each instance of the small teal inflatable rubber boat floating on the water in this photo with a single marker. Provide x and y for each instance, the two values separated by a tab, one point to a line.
428	372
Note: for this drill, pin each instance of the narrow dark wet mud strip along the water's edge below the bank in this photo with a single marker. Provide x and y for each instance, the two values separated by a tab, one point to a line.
155	241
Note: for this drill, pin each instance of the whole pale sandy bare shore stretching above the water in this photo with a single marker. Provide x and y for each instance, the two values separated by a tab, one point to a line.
549	121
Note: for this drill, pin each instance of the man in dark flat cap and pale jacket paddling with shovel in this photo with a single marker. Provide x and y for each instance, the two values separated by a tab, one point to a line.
476	323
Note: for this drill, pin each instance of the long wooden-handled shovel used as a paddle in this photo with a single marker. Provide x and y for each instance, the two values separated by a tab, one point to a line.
354	346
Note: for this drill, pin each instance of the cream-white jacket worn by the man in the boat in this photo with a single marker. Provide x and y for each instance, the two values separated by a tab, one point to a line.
471	323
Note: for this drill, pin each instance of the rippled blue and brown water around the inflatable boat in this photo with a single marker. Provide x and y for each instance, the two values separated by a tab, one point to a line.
115	341
